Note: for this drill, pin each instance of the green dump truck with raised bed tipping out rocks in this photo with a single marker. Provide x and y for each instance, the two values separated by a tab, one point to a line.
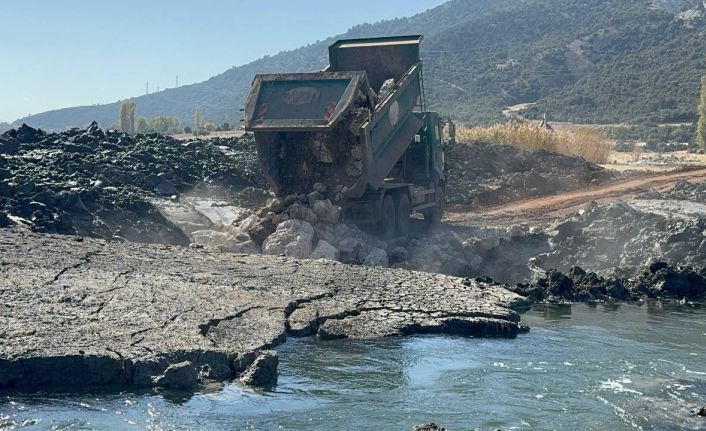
357	131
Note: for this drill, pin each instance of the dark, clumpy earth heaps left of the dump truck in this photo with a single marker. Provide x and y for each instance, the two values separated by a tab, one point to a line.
97	183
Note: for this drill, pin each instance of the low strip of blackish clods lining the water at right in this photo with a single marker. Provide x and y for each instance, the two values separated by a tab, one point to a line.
659	281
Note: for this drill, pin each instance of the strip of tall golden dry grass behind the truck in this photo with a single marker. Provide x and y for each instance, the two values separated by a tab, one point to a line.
586	142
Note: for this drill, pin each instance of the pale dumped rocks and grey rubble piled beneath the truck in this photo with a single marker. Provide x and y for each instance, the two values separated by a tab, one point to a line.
310	227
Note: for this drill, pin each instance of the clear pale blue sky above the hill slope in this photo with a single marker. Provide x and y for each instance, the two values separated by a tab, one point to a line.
59	53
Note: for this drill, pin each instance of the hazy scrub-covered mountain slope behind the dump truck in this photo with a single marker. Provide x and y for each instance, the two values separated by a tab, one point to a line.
597	61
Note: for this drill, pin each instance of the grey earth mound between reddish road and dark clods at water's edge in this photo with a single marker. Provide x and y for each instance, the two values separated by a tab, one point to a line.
622	237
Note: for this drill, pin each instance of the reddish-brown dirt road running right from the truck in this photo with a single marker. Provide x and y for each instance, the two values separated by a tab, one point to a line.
548	208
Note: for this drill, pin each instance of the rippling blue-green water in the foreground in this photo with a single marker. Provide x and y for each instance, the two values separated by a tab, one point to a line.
580	367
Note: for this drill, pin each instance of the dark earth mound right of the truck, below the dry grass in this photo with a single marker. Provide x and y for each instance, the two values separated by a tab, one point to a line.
481	174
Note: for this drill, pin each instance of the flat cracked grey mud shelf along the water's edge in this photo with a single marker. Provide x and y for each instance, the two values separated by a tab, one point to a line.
90	312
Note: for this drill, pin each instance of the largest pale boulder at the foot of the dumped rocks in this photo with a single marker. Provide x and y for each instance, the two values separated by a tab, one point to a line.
293	238
